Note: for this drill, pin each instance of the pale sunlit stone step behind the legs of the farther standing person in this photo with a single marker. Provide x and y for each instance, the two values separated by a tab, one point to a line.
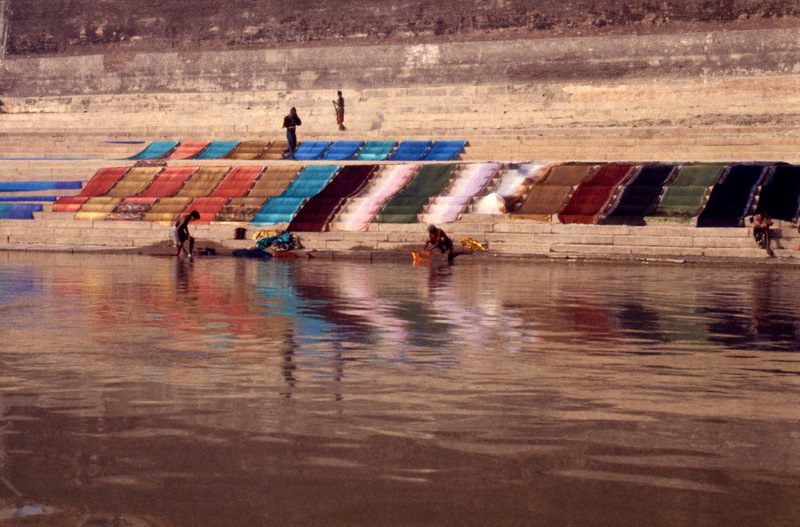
469	110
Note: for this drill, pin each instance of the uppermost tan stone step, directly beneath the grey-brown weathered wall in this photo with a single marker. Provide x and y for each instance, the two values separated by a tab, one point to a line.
639	91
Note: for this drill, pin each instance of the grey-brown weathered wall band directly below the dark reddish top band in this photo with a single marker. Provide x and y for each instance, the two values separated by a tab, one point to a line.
538	61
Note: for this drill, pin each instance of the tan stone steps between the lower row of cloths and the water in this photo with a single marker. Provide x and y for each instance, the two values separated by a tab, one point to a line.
501	238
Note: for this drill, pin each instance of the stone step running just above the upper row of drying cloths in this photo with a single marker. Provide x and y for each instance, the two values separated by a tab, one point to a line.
48	139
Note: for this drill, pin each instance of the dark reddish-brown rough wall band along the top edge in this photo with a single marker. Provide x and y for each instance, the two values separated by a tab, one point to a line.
70	26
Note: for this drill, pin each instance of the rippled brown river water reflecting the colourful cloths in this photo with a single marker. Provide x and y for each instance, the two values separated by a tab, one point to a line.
230	392
